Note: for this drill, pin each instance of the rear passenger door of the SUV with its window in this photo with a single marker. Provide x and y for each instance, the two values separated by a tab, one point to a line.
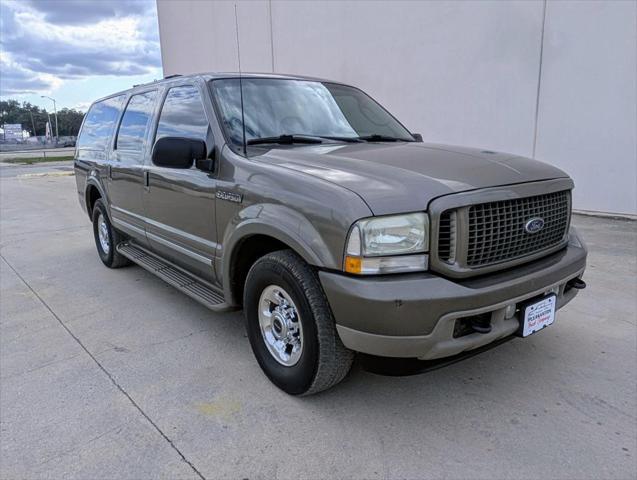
130	150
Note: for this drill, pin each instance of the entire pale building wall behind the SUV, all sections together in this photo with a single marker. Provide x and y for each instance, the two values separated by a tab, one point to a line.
556	81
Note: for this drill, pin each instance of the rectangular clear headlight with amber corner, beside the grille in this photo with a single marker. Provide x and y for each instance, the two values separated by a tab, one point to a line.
389	244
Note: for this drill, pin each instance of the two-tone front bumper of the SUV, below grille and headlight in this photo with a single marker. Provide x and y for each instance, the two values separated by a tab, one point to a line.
413	316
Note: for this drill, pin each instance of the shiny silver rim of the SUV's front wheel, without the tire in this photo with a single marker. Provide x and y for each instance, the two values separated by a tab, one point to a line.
280	325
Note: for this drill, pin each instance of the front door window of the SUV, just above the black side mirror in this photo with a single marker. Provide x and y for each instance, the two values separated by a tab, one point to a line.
182	115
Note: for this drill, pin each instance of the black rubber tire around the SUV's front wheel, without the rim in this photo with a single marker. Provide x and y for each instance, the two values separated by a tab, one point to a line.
324	361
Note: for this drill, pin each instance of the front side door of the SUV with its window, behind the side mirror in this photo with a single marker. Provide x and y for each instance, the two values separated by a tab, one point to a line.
179	204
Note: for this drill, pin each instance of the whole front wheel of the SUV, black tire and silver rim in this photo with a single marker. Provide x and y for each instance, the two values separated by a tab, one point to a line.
291	327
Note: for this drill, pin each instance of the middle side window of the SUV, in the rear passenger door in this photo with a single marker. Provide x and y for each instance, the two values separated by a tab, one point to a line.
135	121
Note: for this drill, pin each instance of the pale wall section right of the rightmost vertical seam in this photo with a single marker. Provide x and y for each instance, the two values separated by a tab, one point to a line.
588	101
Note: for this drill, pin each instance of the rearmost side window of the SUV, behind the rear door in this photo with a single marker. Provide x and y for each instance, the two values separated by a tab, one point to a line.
99	123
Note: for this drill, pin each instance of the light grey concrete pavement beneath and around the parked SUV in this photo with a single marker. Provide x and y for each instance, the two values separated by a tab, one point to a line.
114	374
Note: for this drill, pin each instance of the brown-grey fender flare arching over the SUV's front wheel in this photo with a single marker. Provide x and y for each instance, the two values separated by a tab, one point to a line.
284	224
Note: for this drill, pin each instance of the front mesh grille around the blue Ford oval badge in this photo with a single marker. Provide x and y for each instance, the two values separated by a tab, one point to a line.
473	237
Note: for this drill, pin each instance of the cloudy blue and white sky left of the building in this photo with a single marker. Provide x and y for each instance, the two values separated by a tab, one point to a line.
76	50
